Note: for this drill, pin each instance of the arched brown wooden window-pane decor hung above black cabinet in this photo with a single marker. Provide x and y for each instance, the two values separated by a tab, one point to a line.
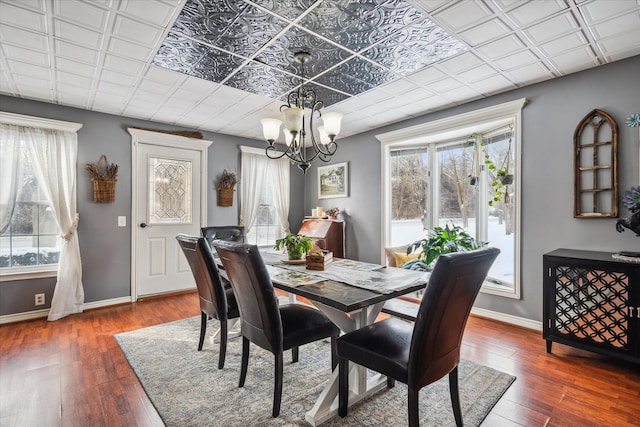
595	144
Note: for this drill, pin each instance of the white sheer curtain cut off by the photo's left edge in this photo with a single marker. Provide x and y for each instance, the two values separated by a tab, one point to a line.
9	166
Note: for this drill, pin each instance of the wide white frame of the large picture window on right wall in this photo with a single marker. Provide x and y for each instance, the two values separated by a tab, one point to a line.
458	126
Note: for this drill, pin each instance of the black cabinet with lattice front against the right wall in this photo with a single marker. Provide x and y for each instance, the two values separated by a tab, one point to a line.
591	302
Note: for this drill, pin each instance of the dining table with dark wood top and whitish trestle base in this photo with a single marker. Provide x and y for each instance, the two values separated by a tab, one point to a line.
350	308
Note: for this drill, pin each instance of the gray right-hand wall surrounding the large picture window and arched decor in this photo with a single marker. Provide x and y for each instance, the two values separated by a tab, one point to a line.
554	110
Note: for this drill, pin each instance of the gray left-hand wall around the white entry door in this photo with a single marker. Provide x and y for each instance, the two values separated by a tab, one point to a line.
106	248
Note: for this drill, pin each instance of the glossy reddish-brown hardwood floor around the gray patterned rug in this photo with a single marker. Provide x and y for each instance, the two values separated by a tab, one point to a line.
72	373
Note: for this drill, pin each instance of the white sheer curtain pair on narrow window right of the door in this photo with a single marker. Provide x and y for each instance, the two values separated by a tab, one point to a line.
257	170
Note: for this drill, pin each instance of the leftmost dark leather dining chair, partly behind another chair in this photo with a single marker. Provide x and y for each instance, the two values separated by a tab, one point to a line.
215	301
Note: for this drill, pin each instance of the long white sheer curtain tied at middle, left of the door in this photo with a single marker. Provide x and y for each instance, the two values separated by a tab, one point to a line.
53	154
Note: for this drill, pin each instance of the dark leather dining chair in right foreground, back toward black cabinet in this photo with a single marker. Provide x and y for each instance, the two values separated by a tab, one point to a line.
420	354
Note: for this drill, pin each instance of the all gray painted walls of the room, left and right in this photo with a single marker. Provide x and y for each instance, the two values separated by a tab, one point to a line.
549	120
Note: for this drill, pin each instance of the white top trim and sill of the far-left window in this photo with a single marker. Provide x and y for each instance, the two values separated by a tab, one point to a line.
48	270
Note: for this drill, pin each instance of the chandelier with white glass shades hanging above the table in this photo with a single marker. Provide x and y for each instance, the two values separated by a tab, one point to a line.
323	146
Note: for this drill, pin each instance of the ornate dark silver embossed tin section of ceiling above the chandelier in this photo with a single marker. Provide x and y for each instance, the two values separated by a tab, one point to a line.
387	32
